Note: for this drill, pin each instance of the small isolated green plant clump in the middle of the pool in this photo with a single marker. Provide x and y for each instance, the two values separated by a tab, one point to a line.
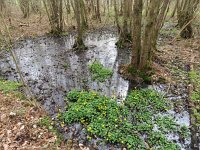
99	72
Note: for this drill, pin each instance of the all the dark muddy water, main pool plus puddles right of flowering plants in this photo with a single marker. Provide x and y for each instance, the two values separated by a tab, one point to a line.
51	68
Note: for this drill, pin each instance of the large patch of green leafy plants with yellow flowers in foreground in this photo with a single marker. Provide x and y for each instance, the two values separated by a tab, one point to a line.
126	123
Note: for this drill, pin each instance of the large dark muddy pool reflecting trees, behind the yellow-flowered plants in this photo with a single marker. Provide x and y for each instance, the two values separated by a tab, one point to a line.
52	69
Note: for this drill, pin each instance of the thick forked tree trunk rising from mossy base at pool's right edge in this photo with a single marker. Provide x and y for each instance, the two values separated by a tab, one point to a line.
144	41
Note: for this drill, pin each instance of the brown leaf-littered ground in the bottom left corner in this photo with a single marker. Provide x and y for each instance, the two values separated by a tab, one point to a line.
20	126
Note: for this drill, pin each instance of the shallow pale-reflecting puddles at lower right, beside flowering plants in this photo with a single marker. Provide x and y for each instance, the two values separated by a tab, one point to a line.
179	111
